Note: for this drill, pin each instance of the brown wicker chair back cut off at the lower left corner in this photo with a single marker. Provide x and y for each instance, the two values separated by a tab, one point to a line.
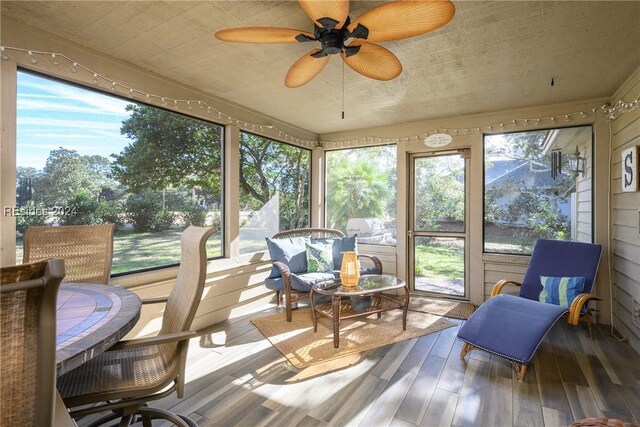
28	342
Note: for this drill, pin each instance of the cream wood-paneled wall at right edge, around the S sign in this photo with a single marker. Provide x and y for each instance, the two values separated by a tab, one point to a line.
625	217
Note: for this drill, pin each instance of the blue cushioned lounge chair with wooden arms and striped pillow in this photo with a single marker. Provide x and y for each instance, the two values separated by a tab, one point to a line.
513	327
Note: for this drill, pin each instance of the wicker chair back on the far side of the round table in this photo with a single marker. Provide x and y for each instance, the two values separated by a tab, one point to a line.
87	250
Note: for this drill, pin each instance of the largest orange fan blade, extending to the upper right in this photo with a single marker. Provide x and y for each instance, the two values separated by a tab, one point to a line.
402	19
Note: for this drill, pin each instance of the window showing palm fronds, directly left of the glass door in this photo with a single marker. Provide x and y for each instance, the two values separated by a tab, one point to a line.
361	193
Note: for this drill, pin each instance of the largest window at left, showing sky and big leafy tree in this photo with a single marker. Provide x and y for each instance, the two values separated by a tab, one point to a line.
84	157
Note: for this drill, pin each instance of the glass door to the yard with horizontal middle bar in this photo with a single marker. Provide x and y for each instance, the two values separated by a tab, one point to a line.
437	234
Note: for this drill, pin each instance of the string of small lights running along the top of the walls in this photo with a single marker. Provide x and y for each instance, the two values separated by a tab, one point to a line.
610	112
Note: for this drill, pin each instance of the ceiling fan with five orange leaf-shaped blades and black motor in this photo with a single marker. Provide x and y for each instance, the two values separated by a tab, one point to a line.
351	39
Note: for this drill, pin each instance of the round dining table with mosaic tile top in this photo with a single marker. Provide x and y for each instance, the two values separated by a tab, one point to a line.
90	318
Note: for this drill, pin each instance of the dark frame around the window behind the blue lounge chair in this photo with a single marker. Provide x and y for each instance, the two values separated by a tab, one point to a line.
591	167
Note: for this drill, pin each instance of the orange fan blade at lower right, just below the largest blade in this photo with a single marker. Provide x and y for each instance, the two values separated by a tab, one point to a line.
373	61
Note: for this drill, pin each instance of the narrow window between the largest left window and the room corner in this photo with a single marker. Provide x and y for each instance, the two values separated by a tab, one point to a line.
274	189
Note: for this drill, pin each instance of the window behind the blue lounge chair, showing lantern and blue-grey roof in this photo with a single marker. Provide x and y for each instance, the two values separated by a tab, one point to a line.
533	188
